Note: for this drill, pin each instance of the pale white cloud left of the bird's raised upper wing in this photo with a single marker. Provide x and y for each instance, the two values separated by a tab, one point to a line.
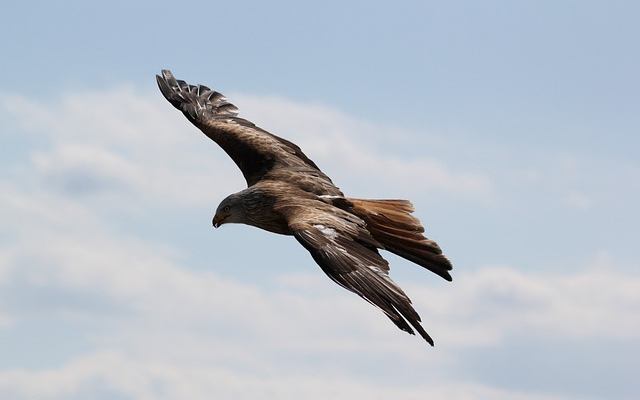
101	143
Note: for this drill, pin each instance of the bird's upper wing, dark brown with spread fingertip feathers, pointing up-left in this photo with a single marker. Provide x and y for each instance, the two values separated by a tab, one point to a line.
257	153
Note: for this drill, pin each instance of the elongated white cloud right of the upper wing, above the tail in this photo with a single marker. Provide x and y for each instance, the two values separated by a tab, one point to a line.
355	149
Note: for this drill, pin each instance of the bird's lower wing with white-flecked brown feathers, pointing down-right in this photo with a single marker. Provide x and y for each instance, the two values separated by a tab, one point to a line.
347	253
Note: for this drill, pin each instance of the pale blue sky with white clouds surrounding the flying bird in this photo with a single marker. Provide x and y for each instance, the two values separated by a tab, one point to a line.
513	127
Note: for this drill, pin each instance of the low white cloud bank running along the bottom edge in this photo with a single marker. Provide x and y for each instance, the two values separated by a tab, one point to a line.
113	373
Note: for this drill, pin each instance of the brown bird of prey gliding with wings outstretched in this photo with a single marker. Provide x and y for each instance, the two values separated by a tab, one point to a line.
288	194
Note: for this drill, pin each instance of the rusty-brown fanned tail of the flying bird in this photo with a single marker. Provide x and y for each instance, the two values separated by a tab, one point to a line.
390	222
